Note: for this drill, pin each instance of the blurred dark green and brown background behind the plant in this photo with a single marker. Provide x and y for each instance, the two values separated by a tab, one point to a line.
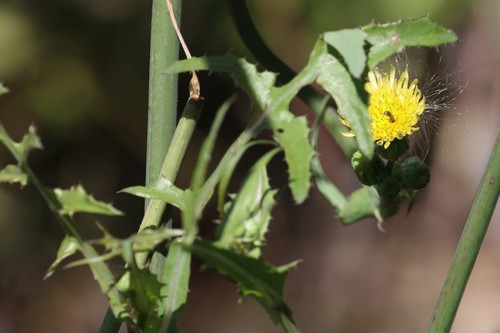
78	69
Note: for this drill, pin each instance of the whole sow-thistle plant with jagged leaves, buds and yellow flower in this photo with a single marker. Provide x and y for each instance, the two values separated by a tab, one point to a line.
151	299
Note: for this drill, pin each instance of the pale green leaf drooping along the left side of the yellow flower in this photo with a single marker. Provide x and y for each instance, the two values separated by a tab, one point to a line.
337	81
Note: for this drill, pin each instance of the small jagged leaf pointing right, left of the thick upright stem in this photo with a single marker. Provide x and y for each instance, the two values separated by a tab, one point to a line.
76	200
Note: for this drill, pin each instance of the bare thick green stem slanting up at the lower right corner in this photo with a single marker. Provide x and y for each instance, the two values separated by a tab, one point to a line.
468	246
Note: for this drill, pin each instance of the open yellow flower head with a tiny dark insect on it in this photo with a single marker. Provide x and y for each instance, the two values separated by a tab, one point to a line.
394	106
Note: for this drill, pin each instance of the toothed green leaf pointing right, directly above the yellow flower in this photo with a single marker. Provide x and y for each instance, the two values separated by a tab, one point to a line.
388	39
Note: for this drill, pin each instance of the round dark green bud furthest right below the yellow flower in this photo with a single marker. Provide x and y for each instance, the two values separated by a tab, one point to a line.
413	173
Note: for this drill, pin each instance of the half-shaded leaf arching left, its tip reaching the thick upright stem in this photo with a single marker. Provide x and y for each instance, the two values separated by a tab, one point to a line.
245	75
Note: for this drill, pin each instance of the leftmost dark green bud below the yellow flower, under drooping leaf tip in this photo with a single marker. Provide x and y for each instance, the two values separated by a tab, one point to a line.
369	172
